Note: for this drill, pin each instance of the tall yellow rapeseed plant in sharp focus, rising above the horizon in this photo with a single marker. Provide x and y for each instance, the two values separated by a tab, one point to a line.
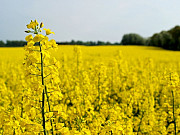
42	74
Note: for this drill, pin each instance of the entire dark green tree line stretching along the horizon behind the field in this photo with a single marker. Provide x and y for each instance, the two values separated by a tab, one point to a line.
166	39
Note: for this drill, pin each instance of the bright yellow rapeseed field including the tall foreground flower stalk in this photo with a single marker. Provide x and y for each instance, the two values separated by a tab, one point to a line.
77	90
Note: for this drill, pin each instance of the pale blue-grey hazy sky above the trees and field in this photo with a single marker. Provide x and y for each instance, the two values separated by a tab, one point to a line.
88	20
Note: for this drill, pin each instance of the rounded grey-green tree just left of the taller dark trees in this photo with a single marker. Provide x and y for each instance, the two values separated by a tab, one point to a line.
132	39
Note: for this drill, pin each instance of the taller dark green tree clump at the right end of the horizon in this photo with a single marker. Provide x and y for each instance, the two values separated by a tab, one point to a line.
166	39
